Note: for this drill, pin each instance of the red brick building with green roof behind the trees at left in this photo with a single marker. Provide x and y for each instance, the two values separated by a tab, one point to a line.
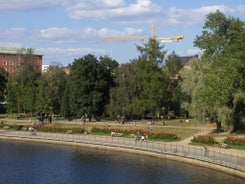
11	58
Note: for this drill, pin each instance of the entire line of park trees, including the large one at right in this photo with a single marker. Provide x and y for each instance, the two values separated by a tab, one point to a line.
210	88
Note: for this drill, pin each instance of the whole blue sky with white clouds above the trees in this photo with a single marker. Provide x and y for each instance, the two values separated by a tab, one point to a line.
64	30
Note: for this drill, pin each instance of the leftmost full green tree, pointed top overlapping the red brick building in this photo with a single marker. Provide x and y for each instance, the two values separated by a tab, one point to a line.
22	85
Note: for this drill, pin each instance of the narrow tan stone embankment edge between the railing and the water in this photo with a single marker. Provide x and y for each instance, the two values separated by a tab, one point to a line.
133	151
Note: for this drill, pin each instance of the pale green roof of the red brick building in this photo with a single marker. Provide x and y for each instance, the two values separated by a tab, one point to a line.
19	51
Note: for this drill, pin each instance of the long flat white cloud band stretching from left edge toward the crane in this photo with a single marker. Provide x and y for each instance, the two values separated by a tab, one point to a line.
61	35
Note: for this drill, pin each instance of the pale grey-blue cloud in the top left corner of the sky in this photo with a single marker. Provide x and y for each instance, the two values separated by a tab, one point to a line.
23	5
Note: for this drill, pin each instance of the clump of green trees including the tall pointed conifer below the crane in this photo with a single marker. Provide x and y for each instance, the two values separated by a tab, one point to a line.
140	85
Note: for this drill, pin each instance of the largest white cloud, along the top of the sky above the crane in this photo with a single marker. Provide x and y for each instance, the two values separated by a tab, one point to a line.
141	11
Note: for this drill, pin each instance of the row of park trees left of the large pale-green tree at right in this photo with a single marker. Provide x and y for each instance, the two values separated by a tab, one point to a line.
99	87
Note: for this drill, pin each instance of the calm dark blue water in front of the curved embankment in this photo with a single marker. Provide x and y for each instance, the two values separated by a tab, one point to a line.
28	163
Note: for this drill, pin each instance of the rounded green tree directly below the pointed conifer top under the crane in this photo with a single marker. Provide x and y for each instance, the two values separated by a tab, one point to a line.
148	89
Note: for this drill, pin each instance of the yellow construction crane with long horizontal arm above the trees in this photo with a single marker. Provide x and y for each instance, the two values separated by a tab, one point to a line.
142	38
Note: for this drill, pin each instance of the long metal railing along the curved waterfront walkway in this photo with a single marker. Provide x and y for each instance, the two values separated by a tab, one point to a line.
227	160
